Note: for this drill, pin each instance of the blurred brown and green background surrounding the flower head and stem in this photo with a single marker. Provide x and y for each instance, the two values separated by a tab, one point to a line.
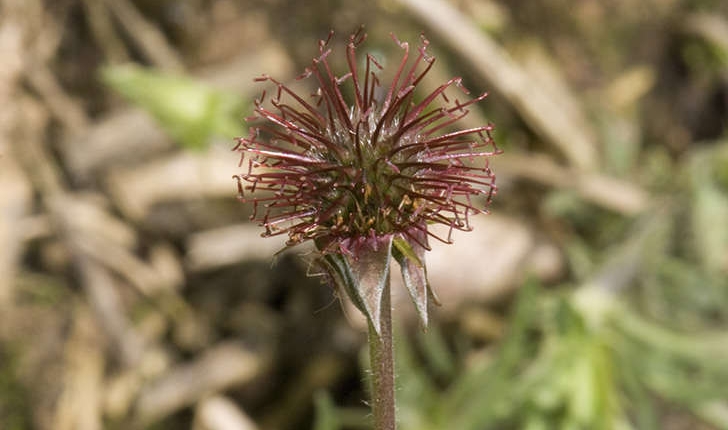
135	294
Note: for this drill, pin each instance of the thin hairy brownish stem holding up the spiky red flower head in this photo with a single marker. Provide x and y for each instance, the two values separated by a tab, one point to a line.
381	354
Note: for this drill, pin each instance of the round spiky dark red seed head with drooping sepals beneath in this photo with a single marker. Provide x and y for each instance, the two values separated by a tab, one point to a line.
363	168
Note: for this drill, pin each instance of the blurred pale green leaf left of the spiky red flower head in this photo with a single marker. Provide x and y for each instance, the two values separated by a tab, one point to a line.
190	111
